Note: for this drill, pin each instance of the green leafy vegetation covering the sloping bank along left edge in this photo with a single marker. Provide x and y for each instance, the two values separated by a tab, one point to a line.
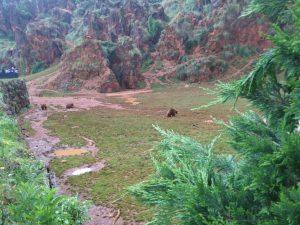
25	197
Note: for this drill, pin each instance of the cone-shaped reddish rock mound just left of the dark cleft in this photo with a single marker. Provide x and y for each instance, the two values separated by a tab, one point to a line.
85	67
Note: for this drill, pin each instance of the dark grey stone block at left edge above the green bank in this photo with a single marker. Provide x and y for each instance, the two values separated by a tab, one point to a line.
14	96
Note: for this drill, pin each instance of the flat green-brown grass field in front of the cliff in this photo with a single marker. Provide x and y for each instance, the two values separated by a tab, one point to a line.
124	138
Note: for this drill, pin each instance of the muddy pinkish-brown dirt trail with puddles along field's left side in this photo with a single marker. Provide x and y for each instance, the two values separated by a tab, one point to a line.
43	145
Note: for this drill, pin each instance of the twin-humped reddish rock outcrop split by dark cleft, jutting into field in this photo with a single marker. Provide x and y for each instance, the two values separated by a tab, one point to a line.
94	65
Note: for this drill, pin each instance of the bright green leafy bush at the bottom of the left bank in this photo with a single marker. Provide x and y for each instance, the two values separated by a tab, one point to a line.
37	205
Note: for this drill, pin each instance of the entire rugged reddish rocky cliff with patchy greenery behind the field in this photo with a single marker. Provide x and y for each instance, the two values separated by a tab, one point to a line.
109	45
